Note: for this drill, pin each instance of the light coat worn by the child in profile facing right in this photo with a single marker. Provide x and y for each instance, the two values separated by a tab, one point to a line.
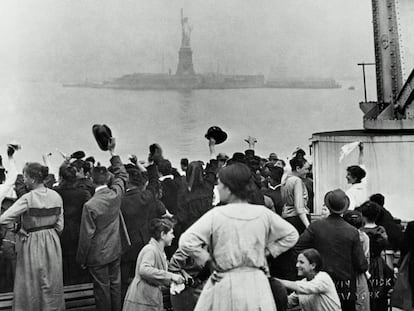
144	292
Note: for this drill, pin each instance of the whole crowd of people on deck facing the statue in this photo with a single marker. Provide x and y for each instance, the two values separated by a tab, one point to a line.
223	234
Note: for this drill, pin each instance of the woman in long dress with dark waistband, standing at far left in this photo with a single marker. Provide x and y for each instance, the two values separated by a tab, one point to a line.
38	284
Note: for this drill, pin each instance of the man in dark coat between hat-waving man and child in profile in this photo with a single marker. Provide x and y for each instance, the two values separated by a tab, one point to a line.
139	206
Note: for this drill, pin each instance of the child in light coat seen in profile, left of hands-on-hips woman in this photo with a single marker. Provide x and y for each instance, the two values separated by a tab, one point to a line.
144	292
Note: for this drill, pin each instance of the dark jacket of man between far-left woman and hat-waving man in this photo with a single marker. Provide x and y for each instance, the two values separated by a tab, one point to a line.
73	201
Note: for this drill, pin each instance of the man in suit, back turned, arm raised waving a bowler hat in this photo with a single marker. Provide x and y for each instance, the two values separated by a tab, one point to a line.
100	244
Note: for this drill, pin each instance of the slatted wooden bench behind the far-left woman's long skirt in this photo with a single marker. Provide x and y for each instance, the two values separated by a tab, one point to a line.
78	297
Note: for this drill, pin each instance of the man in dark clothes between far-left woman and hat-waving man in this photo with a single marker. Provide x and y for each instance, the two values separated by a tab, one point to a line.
73	200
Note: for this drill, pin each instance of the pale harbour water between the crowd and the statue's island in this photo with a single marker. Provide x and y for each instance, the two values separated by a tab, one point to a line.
45	116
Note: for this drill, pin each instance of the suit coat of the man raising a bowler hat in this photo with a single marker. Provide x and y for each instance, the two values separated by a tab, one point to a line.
99	238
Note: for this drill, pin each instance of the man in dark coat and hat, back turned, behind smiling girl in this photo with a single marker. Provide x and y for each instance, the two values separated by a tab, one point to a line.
340	247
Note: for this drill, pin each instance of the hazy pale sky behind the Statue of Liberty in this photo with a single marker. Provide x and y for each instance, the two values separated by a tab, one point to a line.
96	39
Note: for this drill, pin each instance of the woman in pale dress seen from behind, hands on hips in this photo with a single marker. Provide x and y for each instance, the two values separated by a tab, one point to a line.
238	236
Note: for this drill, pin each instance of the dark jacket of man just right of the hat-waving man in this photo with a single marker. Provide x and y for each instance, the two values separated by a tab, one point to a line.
138	208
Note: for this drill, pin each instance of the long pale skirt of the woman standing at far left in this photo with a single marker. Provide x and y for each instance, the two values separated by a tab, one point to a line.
39	281
